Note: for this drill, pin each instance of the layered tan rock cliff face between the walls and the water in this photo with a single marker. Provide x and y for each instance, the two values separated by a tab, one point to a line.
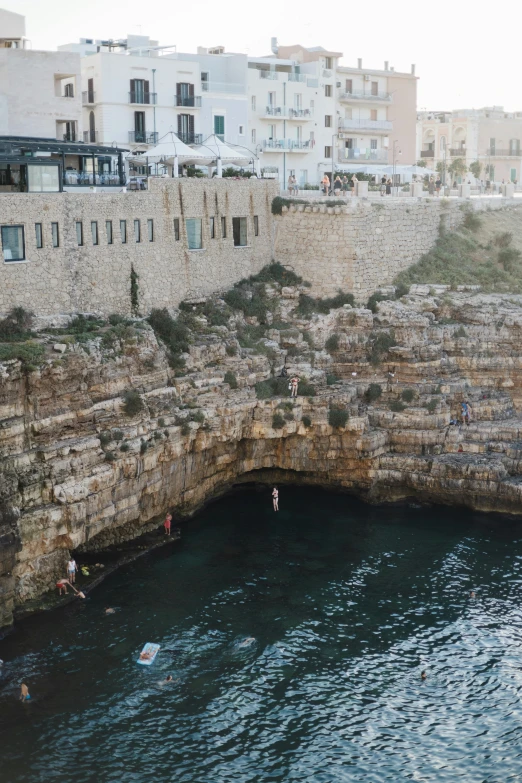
77	472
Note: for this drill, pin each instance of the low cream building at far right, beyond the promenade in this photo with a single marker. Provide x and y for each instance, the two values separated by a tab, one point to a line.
489	135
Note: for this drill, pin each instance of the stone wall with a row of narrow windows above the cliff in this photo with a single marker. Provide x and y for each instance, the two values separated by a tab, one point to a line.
96	277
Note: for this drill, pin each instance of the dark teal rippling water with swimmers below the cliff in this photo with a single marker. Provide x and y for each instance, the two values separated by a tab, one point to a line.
345	603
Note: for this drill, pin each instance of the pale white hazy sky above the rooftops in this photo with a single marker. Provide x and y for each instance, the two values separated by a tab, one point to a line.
466	53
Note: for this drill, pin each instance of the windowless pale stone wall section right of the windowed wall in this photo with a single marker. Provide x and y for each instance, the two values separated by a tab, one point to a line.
362	246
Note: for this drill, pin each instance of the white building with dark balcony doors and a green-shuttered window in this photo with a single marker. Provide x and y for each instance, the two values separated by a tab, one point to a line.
135	92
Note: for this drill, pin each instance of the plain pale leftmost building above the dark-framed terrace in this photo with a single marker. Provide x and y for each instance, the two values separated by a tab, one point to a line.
39	91
